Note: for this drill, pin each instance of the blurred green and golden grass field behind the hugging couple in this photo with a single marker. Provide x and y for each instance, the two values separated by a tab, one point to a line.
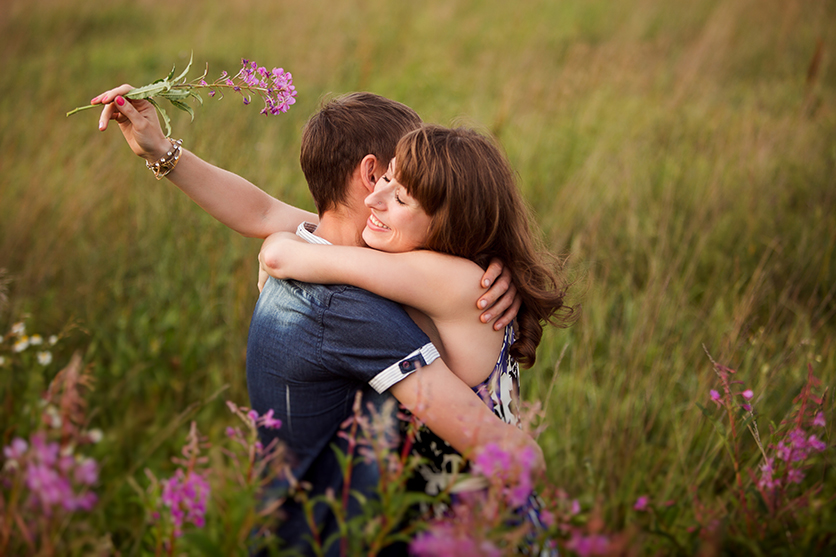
682	155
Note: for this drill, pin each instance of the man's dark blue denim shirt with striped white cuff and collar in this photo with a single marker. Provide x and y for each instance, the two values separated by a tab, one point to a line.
311	347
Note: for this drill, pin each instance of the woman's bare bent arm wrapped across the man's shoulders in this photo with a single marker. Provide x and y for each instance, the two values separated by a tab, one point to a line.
436	284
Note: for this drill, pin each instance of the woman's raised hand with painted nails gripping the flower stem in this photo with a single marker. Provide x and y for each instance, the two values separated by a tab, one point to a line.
137	120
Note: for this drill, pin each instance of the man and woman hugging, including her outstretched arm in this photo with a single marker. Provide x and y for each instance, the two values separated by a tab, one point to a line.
381	292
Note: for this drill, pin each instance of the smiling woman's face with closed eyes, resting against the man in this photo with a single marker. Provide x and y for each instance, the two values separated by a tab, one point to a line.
398	222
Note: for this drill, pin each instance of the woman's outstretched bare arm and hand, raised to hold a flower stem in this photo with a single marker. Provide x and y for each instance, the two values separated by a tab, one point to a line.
231	199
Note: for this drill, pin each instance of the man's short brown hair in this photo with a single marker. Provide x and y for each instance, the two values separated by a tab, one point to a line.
345	130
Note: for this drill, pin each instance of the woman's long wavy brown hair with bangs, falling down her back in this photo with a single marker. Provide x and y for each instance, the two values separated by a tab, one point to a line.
464	182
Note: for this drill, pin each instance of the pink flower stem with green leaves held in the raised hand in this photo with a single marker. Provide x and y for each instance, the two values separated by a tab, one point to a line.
275	87
